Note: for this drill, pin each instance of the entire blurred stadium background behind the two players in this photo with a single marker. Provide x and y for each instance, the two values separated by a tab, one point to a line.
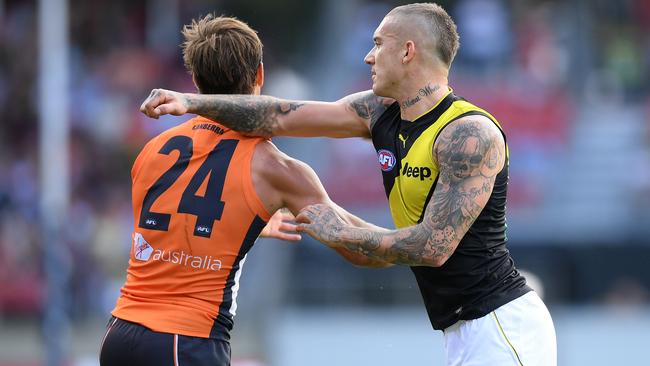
567	79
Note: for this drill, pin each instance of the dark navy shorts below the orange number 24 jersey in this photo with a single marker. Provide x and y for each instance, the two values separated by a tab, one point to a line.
127	343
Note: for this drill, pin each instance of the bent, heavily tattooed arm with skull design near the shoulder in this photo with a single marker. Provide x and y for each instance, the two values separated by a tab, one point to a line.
470	153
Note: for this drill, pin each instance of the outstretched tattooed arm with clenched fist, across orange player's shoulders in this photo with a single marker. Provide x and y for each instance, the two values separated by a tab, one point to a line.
258	115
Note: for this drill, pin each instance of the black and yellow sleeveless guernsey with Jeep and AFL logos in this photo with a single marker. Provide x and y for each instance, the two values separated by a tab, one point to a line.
480	276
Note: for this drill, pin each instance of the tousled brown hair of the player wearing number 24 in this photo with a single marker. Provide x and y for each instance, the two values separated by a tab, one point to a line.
222	54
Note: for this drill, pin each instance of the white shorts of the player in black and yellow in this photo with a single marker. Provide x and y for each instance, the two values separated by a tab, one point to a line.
519	333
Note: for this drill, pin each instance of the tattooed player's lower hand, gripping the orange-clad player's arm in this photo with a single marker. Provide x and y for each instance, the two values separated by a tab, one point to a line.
322	223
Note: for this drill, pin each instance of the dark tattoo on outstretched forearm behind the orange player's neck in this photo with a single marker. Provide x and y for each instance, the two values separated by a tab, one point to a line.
252	115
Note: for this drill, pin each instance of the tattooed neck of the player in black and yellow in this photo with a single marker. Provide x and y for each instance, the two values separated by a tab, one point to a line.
420	98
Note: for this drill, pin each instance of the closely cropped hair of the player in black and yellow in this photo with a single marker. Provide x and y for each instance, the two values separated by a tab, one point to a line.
443	27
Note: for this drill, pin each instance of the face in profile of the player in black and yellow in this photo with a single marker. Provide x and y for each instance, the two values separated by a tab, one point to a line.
384	59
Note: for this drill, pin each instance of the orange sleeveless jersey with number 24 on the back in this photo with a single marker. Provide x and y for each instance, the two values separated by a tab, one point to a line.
196	216
